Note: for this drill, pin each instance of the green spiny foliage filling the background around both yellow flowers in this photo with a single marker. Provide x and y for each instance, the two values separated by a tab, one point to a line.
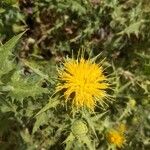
32	114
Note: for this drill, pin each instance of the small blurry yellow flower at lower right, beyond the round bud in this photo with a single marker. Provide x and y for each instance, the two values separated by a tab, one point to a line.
115	137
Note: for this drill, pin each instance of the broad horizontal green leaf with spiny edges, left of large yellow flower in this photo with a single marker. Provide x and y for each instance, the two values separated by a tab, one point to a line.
23	87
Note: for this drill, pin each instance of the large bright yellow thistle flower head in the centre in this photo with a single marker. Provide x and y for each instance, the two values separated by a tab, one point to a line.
83	82
